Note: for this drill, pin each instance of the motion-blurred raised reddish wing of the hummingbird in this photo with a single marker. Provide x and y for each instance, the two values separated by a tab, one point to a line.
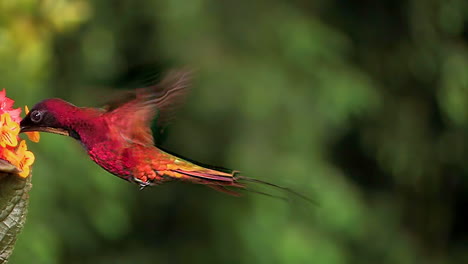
131	113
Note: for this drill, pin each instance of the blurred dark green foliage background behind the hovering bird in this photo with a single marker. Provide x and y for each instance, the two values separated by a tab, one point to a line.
362	105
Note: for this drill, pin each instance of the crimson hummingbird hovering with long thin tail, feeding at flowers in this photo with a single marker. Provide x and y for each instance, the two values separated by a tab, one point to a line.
118	136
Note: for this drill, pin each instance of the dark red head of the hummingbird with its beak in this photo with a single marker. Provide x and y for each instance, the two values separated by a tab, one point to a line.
51	115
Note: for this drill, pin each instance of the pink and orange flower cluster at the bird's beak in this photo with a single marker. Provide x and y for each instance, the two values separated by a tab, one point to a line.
12	148
